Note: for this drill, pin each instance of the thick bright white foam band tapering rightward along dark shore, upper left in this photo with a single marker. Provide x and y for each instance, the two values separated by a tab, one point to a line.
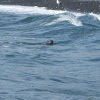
27	10
